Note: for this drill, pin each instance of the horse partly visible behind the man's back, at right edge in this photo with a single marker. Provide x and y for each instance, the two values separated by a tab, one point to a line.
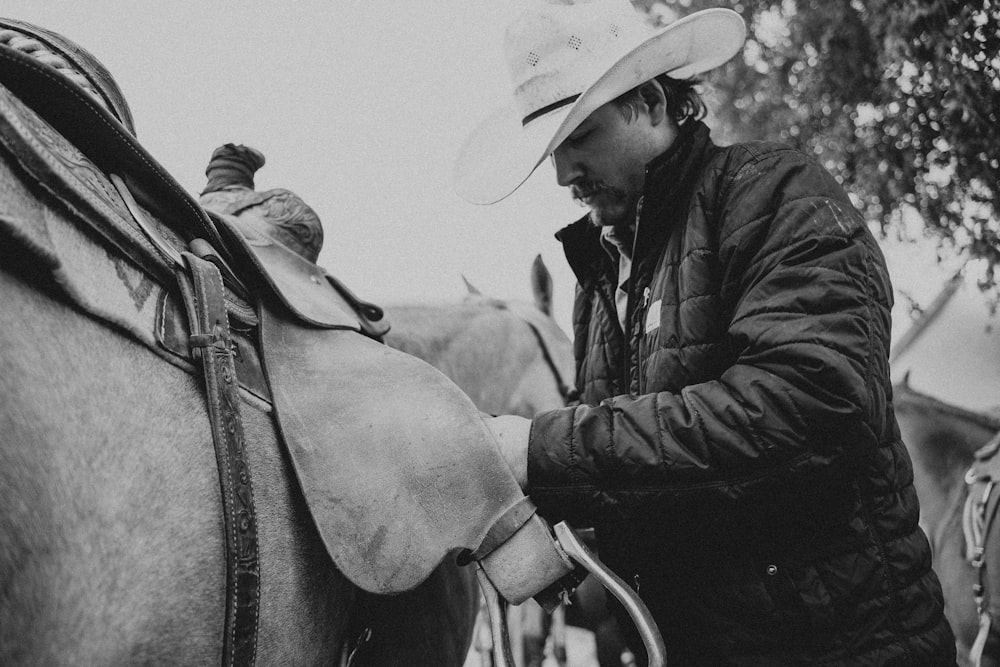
942	440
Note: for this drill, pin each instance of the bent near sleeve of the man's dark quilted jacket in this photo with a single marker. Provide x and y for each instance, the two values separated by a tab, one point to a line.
805	395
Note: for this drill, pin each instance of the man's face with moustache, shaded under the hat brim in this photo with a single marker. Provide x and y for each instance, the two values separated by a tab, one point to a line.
603	163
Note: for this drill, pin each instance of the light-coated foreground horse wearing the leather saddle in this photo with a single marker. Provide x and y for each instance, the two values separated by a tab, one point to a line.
186	470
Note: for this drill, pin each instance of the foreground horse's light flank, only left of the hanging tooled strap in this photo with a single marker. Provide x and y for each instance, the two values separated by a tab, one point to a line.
107	490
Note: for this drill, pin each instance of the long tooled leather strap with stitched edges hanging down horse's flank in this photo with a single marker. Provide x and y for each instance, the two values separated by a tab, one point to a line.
210	335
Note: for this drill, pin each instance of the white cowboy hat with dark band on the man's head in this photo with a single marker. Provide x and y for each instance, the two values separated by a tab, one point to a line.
568	58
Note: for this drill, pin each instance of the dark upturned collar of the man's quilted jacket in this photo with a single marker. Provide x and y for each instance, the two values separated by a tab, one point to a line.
669	179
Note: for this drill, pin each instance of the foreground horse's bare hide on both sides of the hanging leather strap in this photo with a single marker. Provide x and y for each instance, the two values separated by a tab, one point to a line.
113	537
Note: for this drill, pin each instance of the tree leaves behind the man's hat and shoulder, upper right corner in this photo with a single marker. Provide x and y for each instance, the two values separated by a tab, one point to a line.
899	99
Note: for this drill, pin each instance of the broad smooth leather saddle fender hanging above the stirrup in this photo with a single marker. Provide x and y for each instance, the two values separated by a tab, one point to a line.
394	460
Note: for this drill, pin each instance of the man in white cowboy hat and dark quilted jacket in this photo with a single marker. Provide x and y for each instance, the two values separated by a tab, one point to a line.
736	448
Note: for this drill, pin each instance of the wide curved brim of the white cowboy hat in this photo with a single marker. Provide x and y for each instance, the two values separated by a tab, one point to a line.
501	153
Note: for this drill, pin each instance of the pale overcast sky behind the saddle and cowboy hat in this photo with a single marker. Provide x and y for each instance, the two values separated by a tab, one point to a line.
359	107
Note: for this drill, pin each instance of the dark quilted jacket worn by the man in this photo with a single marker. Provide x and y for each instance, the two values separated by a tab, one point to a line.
736	450
